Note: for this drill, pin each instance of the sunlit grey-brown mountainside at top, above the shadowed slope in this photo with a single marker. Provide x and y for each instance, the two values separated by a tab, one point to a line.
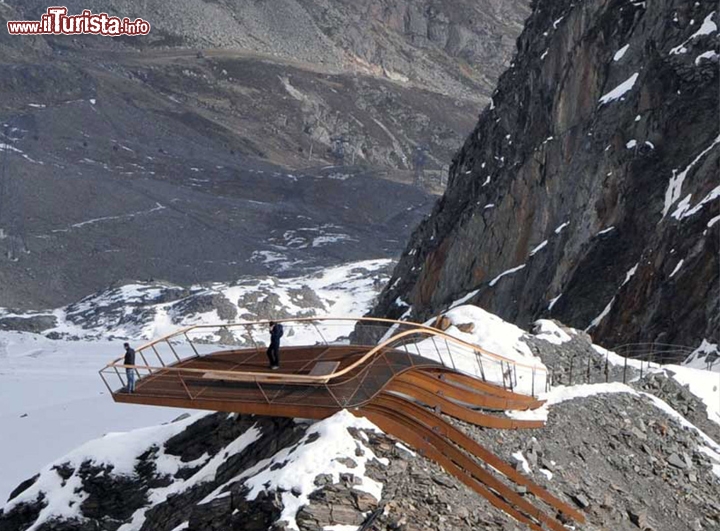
307	82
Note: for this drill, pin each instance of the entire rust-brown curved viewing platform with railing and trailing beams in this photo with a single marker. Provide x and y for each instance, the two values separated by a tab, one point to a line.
402	376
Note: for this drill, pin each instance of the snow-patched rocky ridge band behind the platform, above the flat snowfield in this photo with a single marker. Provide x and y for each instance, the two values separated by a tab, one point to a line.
146	310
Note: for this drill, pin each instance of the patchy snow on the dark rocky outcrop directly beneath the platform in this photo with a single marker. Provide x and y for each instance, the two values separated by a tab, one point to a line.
322	448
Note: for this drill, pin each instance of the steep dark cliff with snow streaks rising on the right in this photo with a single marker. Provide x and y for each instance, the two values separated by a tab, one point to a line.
589	184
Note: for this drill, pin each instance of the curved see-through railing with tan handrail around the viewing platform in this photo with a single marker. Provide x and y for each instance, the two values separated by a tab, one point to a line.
348	386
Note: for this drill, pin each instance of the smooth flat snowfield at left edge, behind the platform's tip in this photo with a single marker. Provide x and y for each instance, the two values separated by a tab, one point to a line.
52	400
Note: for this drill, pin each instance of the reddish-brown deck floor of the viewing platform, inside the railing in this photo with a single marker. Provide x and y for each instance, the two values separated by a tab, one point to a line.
207	382
